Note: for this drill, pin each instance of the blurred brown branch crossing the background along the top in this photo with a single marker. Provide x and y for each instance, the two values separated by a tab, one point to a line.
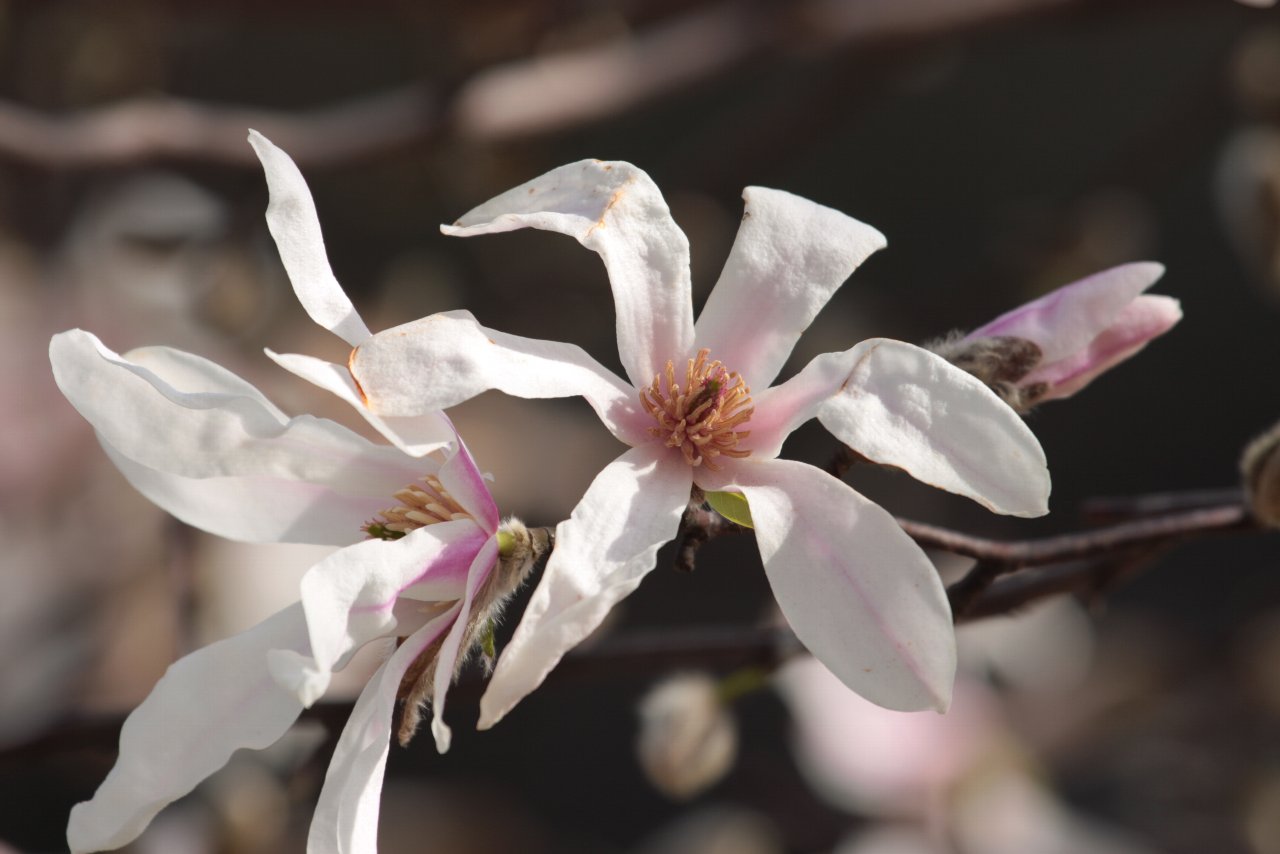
528	97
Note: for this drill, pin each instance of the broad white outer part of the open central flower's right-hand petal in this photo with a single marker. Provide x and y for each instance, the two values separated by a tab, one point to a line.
904	407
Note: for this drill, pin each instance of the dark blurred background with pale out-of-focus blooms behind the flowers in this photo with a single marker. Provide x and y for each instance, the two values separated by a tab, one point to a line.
1004	147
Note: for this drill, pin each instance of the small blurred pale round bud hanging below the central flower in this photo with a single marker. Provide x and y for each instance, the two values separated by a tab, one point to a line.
688	736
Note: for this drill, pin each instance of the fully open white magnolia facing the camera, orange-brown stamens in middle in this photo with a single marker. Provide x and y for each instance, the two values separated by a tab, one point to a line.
698	410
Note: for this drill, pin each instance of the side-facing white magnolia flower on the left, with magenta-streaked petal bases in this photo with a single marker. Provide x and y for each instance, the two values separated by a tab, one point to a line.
211	449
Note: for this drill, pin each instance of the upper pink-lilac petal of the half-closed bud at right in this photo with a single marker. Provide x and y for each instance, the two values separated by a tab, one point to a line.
1066	321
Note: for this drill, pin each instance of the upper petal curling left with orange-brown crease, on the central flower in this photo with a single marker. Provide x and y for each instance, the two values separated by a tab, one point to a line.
618	212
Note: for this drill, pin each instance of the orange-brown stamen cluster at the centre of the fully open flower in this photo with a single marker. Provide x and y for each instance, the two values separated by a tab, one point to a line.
701	417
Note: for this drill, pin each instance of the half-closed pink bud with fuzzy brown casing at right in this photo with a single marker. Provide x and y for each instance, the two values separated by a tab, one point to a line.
1057	345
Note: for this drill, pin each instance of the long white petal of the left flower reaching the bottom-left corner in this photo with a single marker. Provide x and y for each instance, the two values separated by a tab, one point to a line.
207	706
